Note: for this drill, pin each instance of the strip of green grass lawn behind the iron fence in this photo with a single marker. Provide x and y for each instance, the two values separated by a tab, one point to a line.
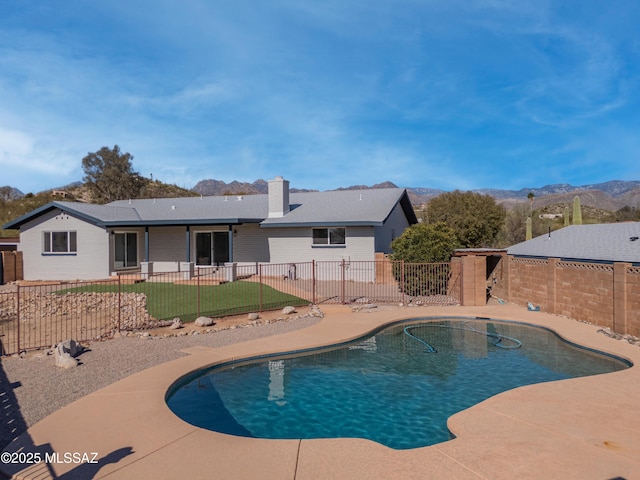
166	301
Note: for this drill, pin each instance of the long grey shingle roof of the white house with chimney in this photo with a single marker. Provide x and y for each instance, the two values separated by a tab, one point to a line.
348	207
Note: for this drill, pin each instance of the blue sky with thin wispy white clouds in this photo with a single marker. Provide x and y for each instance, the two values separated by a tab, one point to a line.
455	94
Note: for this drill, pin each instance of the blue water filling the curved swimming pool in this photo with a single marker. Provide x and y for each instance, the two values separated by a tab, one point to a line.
397	387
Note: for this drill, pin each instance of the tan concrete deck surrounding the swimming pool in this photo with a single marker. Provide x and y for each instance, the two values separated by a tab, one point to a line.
585	428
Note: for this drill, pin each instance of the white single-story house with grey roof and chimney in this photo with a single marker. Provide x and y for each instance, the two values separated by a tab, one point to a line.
72	240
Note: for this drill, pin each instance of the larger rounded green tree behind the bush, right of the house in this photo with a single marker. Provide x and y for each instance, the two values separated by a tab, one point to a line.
476	219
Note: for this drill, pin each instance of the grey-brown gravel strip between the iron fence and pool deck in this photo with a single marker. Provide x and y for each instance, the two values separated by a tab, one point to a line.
32	387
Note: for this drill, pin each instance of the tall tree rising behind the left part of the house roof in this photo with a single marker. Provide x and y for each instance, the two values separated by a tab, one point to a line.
109	175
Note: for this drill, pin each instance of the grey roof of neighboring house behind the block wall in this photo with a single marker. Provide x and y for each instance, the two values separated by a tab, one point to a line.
608	242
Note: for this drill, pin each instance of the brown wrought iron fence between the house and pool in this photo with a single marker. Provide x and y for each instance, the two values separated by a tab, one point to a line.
35	316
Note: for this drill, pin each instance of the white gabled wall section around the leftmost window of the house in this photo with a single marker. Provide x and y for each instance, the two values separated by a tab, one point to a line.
91	261
